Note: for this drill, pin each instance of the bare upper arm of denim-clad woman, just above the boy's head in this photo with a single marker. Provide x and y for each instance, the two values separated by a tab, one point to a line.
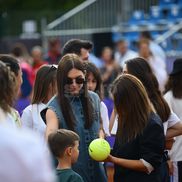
51	122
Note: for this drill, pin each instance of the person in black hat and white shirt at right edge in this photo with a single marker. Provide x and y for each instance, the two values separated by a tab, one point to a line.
173	97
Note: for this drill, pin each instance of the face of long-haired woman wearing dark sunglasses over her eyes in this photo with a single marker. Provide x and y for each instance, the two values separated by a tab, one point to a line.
75	80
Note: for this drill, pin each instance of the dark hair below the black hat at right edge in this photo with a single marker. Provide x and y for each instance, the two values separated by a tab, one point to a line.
175	85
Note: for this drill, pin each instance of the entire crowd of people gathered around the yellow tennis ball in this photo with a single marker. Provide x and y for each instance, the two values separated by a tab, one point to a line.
56	104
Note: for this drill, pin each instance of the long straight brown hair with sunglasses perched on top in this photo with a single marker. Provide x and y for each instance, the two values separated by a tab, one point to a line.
45	77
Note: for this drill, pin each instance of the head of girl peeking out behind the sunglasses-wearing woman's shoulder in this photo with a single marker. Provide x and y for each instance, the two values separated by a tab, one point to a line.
94	80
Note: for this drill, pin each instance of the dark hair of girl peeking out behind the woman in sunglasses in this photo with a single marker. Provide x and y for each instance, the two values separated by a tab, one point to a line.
91	68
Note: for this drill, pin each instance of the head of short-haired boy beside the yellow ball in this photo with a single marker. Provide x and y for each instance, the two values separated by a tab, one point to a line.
64	143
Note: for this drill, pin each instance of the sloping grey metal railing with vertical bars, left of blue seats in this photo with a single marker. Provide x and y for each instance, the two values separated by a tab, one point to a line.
96	16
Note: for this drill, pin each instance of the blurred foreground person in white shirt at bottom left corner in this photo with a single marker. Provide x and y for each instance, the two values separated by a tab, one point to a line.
20	151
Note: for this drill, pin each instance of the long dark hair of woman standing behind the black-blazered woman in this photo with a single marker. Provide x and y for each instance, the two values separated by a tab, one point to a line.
141	69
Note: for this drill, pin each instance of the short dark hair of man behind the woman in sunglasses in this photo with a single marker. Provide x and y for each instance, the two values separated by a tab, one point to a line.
75	45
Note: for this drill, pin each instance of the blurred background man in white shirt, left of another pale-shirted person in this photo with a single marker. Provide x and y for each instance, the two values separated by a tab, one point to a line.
123	53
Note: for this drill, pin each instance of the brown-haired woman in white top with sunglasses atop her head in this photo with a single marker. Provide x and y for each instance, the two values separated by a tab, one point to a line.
44	89
